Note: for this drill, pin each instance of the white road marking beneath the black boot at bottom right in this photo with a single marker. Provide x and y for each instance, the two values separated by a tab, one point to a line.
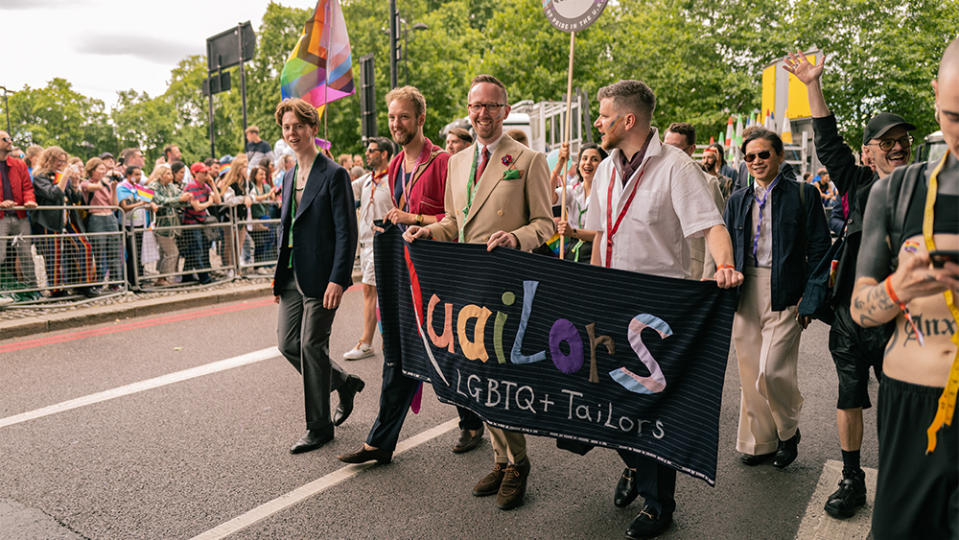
818	525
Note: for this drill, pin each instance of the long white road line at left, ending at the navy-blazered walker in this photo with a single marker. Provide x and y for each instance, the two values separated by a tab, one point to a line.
141	386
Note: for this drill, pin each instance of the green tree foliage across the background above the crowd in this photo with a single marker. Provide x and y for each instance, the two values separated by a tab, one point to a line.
703	59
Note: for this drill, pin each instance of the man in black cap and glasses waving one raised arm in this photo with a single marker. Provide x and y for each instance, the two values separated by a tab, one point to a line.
854	349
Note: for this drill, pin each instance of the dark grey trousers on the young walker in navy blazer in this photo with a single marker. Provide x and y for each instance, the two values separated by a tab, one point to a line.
303	331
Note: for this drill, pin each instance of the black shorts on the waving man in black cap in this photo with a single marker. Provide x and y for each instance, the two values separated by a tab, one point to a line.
854	350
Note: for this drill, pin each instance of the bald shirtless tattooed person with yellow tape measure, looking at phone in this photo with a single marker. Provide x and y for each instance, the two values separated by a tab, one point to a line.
911	215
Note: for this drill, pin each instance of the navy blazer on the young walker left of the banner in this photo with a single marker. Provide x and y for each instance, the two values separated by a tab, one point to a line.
324	233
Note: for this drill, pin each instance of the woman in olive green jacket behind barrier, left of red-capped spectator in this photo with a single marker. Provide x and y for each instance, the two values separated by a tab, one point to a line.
169	197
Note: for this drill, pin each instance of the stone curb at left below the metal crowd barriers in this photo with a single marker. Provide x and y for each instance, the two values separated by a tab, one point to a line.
138	308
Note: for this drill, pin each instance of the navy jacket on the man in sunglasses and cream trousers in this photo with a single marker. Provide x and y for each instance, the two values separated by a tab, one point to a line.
800	237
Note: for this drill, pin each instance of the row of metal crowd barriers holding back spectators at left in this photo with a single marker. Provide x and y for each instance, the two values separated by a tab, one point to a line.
42	268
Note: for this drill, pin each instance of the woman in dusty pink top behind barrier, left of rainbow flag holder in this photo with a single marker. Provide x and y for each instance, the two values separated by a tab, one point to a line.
102	223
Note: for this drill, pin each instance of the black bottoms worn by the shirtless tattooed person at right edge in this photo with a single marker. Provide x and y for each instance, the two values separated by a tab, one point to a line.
917	495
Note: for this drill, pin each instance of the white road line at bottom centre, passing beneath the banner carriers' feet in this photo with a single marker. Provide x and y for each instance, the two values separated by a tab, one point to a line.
306	491
